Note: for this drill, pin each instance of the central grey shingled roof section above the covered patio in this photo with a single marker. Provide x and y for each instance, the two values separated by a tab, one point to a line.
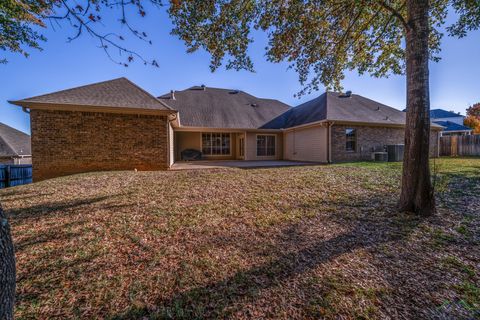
223	108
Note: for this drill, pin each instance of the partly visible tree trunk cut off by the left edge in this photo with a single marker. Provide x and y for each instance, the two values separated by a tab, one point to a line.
7	269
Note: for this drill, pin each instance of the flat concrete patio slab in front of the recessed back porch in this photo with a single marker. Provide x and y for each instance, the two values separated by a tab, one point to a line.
197	165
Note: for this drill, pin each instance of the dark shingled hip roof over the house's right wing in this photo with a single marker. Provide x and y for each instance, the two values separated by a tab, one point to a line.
333	106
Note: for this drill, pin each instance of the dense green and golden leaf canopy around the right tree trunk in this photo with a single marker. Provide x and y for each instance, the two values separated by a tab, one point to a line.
320	39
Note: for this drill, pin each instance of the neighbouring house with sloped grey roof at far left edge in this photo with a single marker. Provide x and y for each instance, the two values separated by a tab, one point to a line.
14	146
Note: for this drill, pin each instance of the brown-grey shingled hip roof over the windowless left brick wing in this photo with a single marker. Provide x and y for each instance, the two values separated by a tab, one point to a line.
118	93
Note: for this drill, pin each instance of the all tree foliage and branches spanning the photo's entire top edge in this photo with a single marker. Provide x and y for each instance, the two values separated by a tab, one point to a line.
319	38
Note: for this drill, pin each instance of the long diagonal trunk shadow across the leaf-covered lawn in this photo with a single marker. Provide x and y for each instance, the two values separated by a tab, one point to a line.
224	298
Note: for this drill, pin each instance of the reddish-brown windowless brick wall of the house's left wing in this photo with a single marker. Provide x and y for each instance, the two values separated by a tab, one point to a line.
66	142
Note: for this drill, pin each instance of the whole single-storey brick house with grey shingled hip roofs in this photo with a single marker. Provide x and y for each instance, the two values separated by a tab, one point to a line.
116	125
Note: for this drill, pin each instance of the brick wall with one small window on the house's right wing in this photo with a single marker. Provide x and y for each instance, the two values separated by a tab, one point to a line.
369	139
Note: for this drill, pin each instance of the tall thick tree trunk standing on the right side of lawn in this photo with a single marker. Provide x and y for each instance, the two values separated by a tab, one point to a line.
417	192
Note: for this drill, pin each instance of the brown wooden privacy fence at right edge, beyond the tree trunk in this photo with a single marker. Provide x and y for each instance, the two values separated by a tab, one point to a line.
460	145
